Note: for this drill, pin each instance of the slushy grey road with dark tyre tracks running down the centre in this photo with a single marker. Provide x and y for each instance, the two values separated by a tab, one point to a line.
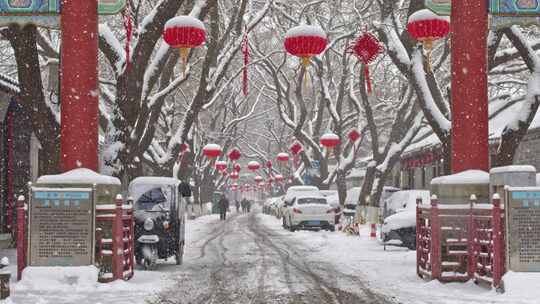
242	260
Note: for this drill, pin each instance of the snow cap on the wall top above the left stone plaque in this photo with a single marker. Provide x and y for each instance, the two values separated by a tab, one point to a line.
79	176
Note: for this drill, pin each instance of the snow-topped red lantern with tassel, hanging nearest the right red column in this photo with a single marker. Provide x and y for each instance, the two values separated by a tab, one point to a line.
427	27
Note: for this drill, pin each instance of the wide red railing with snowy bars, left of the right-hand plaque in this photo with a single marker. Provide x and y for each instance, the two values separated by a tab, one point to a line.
456	243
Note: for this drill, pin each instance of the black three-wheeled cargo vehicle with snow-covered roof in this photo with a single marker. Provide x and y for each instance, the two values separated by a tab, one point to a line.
159	205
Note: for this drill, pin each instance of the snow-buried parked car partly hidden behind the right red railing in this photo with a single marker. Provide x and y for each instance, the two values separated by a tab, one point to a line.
402	224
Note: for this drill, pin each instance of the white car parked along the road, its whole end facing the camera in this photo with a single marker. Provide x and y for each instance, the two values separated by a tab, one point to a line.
309	212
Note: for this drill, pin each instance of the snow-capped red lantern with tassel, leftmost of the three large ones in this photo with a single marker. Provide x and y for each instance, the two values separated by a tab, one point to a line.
184	33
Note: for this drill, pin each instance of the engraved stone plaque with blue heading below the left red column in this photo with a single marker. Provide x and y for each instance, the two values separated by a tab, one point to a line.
61	227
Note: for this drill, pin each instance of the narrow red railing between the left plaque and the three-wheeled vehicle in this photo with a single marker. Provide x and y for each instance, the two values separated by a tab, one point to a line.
119	248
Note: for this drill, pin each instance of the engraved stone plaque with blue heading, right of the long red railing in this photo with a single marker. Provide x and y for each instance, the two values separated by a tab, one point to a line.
523	229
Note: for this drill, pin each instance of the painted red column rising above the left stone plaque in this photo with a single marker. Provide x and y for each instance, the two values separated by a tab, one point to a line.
79	85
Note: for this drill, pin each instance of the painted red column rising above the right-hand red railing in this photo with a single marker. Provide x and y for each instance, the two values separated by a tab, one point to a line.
469	30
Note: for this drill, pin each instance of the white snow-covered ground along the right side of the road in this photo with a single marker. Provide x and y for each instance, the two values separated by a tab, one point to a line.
393	272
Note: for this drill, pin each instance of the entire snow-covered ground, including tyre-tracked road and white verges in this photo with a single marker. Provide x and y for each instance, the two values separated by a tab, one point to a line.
252	257
